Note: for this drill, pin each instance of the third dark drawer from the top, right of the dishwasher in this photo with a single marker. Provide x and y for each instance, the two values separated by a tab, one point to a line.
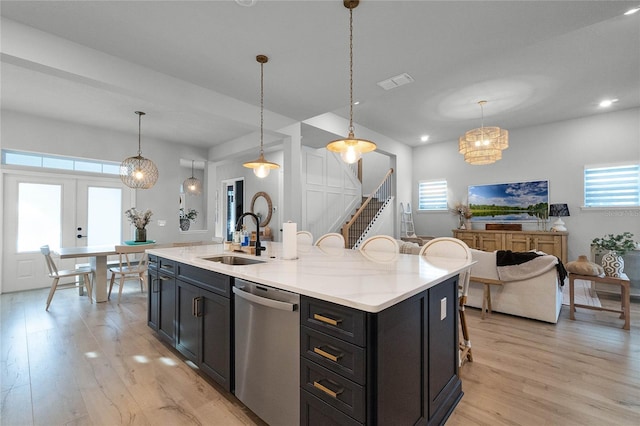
332	388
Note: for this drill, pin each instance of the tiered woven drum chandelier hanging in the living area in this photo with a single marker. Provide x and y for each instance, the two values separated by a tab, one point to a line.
483	145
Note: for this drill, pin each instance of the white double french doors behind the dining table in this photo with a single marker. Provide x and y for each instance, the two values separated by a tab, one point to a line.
59	211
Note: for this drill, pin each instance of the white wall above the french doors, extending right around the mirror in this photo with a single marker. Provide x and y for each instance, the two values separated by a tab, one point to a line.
31	133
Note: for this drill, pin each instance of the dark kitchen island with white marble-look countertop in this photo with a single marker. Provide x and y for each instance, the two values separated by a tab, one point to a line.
378	332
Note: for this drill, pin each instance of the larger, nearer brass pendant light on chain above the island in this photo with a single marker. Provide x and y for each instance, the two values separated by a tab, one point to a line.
350	148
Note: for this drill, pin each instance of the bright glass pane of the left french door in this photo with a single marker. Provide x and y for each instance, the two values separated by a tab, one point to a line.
39	216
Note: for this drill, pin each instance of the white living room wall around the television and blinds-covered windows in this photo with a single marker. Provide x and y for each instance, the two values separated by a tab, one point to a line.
555	152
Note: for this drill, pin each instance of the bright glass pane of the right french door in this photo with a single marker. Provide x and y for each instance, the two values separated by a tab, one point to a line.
104	216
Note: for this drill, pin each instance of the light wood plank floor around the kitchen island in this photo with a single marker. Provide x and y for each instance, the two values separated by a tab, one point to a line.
83	364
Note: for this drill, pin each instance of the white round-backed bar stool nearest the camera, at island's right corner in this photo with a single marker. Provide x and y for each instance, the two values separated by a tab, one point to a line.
454	248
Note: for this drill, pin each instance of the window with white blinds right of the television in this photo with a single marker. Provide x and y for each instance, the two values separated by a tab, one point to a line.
612	186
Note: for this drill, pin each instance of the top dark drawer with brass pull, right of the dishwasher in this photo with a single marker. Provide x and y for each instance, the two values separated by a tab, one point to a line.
338	321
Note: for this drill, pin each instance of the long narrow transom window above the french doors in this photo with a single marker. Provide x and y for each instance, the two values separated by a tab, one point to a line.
32	159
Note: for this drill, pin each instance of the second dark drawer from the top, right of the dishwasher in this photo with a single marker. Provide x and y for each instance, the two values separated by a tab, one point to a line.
335	354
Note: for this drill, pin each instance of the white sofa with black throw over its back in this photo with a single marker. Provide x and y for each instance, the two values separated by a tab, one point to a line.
538	298
